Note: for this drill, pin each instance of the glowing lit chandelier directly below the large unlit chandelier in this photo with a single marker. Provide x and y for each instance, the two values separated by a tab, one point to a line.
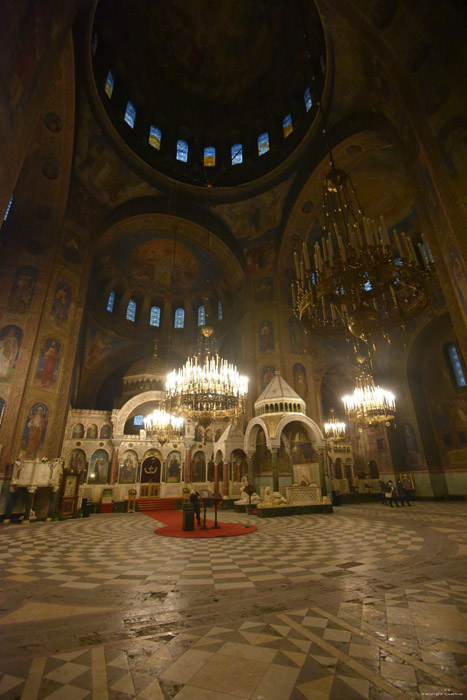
369	404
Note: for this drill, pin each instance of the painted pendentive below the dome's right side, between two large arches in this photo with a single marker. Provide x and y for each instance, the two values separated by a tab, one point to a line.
256	217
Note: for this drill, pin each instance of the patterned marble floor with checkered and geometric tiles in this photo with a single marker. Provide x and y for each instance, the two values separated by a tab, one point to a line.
367	602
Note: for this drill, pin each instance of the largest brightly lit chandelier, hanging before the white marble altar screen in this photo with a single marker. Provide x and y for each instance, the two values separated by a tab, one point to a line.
207	387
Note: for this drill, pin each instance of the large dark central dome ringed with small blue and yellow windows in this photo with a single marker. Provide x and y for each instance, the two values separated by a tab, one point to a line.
214	74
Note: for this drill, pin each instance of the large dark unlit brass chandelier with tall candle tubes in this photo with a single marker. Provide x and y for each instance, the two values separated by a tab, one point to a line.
359	280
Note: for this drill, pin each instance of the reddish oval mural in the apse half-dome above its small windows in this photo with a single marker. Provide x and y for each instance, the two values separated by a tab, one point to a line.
149	259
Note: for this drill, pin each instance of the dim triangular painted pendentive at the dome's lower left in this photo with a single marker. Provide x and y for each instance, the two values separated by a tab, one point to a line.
100	169
